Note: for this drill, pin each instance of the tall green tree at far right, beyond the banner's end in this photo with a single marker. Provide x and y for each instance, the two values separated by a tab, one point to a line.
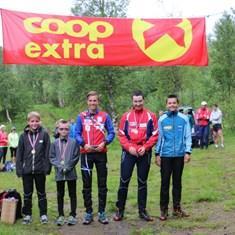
223	64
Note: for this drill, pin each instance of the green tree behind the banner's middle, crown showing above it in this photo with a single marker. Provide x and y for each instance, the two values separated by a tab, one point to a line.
105	80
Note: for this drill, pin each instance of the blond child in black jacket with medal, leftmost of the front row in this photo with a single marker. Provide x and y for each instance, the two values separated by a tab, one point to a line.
32	164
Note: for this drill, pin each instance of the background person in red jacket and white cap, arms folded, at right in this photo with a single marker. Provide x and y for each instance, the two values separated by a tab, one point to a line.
202	120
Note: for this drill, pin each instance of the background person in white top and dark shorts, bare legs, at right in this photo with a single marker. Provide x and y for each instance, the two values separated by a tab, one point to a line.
216	120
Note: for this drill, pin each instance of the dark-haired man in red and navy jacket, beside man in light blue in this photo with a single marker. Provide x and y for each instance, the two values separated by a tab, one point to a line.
137	134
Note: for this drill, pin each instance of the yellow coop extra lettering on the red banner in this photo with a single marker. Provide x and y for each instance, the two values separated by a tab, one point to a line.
77	28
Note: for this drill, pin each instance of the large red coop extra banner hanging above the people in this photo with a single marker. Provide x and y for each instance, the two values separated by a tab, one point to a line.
50	39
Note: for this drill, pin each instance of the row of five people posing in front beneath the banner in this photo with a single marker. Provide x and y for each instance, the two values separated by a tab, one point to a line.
139	131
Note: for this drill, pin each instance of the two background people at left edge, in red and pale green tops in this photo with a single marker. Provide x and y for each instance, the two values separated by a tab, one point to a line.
8	140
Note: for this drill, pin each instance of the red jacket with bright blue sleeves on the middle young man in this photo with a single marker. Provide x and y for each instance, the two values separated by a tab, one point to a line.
91	129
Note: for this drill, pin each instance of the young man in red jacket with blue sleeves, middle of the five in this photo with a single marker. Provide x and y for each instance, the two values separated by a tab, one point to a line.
91	128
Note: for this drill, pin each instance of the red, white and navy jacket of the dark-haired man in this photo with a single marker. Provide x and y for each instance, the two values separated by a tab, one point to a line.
138	128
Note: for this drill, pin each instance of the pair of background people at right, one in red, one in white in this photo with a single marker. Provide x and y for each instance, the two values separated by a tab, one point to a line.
204	117
